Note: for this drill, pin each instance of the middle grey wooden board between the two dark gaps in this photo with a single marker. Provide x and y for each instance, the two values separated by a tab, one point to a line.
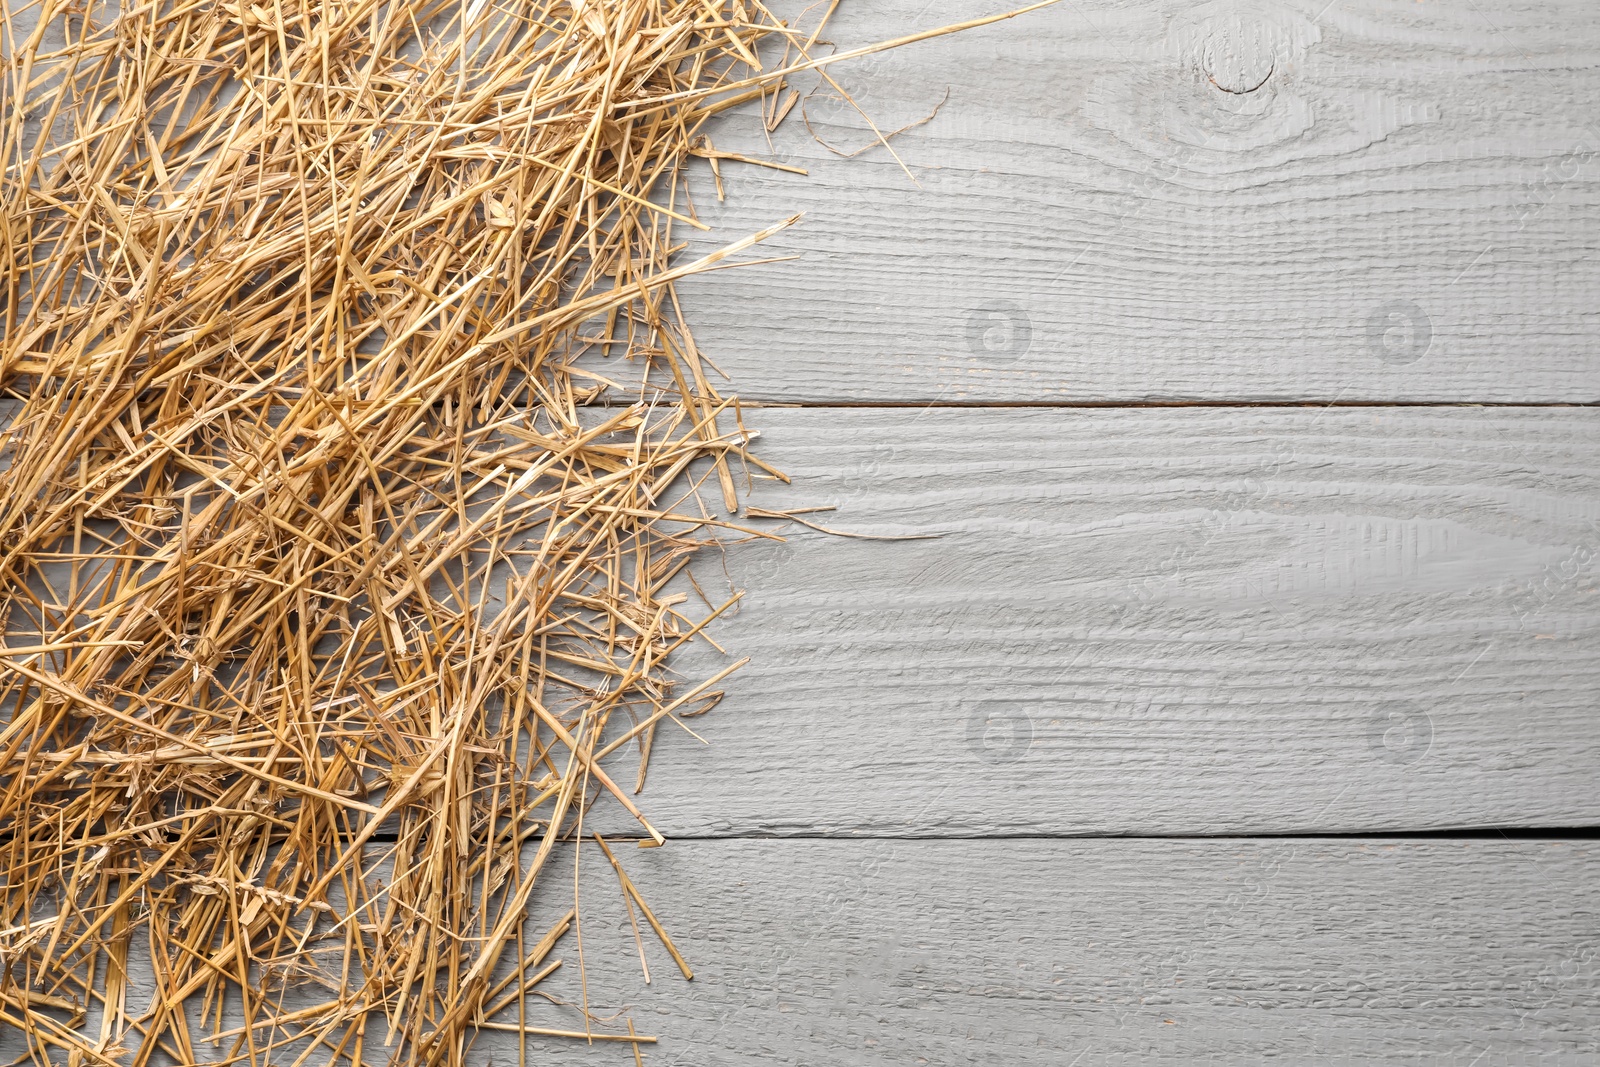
1159	621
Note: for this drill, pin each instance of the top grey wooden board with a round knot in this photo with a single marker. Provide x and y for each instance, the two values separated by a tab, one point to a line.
1148	199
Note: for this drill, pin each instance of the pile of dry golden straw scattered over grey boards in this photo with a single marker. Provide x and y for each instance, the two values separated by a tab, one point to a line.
329	593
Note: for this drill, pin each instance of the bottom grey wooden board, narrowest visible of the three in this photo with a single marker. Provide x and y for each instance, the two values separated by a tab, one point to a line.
1122	953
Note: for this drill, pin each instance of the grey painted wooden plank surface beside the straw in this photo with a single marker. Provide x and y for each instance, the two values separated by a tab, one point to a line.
1242	358
